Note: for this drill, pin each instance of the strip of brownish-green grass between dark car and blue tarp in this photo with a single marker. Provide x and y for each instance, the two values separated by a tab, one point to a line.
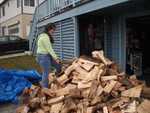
20	62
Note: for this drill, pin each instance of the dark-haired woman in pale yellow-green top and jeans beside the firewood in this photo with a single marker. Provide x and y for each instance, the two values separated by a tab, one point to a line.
46	57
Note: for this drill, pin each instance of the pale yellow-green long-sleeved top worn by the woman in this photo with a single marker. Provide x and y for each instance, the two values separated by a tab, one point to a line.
44	46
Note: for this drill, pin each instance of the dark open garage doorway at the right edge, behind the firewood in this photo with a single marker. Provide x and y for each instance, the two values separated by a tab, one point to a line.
137	46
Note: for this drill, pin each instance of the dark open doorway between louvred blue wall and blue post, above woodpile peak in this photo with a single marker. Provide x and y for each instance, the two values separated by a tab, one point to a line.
91	33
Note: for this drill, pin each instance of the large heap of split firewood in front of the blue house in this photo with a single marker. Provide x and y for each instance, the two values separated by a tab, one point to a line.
89	85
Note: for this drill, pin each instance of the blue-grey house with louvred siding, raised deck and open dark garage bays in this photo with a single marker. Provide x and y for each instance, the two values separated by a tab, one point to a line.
119	27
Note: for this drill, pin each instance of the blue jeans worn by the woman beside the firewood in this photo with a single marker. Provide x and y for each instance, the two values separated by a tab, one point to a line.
46	62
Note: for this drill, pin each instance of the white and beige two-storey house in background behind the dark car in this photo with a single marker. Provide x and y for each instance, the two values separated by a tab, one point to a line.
16	16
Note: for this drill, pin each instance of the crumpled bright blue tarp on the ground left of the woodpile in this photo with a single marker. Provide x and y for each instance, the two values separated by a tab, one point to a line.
13	82
